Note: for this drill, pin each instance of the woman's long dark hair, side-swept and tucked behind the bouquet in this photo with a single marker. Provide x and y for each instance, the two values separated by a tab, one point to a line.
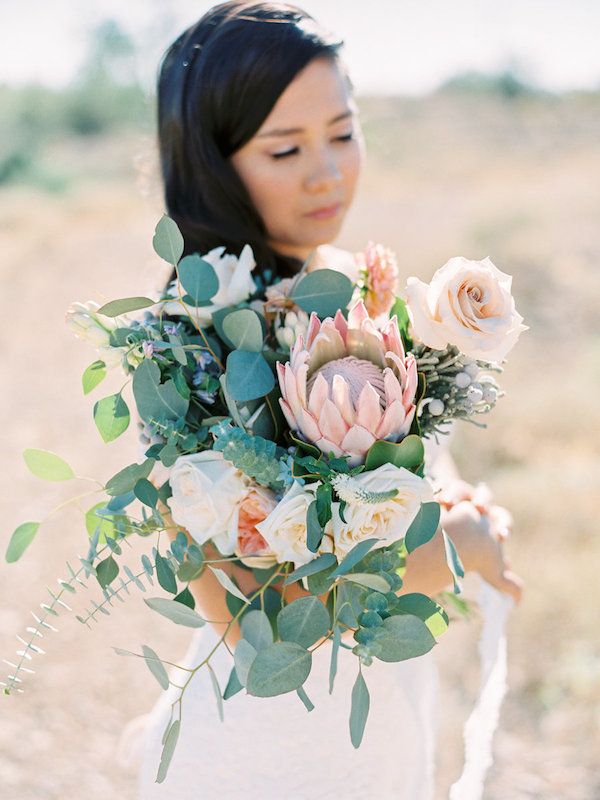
217	84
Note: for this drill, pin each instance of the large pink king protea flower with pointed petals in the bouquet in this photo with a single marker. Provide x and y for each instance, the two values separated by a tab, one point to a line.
349	384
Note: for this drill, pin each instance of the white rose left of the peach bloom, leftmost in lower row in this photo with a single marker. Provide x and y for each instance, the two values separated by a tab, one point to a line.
207	492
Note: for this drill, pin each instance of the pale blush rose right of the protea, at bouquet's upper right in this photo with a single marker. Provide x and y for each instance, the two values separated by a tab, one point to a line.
468	304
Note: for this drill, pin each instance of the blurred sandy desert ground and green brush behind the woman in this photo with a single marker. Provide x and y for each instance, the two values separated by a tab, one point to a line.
483	166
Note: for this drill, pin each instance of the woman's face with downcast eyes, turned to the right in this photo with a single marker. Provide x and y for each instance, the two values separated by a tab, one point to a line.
302	165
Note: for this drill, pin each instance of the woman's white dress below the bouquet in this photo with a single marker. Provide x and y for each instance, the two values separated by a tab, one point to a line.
273	749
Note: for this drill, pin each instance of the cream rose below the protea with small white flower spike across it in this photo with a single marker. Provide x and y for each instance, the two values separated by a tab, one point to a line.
387	519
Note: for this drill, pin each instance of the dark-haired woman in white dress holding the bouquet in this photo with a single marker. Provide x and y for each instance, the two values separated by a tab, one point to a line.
260	144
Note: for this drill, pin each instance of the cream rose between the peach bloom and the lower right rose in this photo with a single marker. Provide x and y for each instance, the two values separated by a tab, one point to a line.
285	528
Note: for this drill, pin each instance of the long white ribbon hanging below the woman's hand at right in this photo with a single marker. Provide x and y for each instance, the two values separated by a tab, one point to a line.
482	723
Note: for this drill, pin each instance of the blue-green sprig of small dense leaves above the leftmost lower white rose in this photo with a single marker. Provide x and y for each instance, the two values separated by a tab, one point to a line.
256	457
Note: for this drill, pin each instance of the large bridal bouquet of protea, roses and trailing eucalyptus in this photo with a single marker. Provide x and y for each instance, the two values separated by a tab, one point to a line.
282	427
